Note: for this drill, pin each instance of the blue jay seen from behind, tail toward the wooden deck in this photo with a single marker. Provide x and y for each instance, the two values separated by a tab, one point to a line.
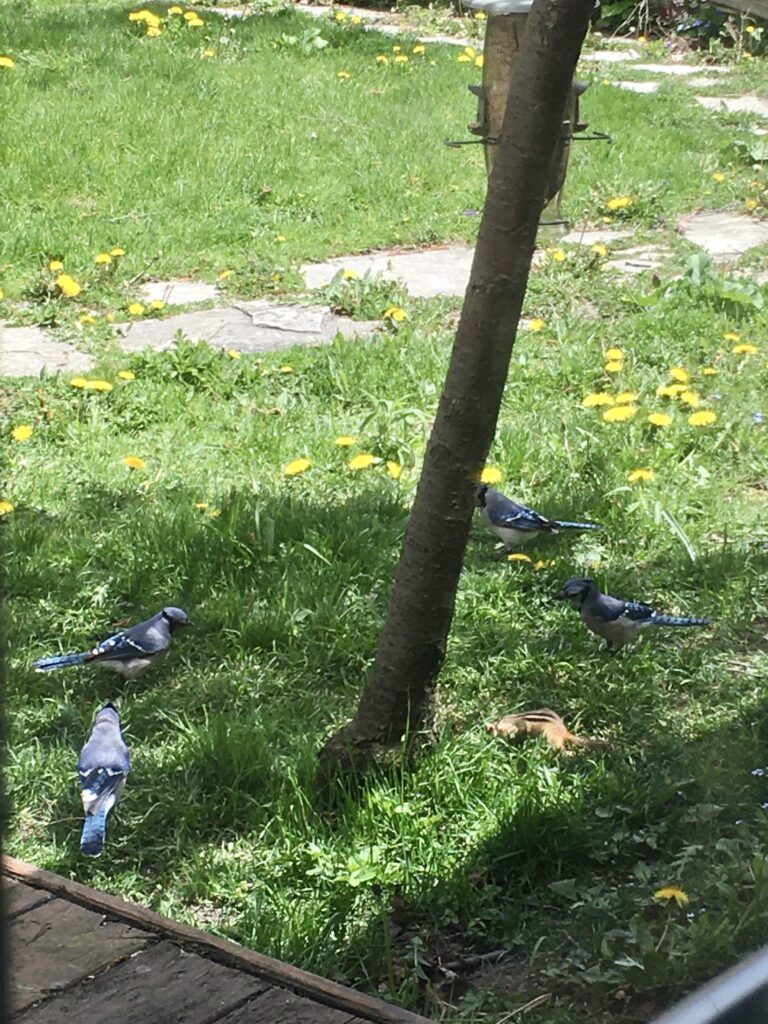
104	766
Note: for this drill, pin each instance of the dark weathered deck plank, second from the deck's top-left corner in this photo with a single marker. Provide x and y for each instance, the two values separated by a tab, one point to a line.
56	945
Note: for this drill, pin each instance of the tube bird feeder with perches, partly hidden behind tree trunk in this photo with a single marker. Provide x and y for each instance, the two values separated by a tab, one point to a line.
504	30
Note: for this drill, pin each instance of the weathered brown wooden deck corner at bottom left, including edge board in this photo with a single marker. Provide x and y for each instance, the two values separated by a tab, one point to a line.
84	956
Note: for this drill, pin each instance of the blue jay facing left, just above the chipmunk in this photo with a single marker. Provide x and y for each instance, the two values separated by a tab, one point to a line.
618	622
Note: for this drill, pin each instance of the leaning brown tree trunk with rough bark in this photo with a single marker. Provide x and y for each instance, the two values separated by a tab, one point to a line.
401	688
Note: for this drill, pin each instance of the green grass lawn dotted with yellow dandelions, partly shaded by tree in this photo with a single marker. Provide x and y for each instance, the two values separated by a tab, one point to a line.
478	845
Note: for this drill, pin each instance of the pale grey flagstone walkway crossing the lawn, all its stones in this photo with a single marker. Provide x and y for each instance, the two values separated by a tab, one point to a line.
265	326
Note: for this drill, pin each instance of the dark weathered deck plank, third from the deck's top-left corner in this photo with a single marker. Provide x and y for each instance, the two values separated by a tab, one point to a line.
159	986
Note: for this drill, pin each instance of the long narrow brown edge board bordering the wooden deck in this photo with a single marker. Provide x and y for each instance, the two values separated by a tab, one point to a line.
230	954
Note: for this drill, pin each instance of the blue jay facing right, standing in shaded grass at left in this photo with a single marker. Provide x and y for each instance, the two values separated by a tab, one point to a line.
129	653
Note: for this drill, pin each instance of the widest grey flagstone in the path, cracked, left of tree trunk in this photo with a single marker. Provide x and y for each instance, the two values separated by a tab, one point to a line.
248	327
